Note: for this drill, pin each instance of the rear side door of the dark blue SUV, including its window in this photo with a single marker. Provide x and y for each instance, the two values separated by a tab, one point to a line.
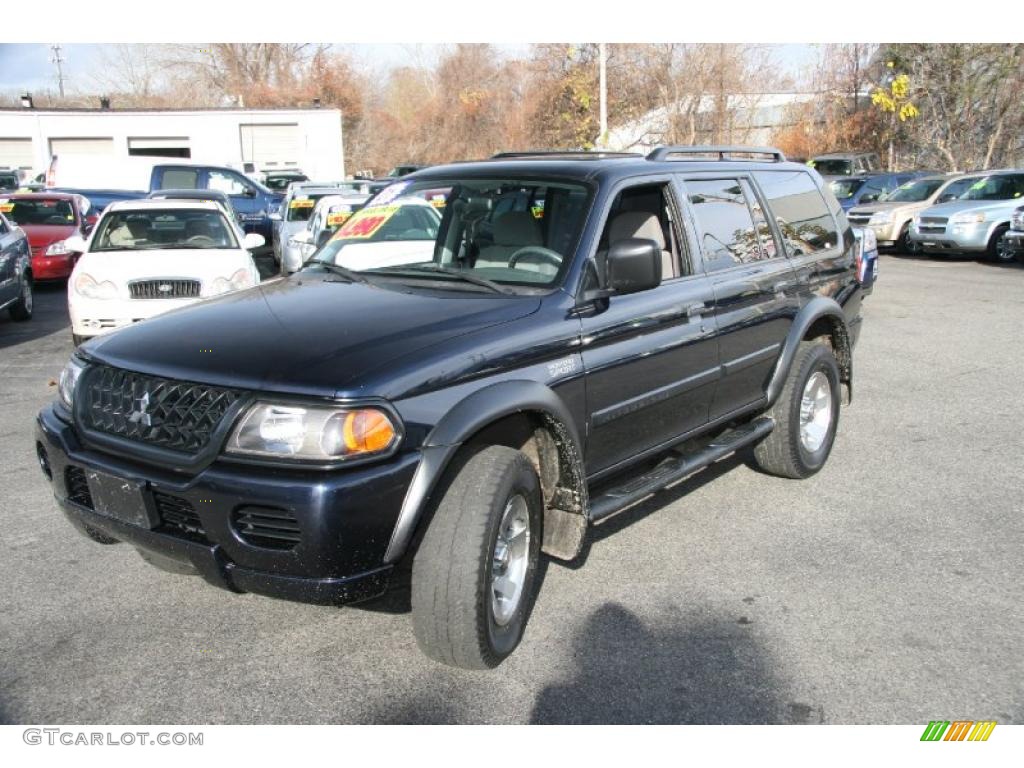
756	293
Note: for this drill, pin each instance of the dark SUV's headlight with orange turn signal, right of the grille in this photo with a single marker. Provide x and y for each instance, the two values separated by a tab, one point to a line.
313	433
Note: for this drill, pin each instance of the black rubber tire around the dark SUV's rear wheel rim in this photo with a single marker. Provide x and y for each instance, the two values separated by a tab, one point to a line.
783	453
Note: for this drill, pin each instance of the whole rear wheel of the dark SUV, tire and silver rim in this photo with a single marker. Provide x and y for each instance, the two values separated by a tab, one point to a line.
806	415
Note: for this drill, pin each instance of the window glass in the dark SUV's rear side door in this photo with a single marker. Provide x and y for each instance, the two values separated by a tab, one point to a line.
729	237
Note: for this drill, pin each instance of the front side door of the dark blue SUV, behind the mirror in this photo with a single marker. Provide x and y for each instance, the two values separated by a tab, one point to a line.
651	358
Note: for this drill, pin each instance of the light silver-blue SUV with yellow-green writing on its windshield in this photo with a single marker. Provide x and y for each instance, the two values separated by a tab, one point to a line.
976	223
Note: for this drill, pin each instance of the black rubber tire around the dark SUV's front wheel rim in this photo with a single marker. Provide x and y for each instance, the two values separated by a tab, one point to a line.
453	618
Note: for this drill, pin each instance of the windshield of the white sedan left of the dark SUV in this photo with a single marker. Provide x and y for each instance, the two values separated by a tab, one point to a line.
152	230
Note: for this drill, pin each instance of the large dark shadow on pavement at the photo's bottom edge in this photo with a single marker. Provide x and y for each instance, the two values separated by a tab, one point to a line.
627	672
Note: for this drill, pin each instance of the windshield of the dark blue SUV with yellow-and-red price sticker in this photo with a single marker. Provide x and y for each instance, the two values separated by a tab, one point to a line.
506	232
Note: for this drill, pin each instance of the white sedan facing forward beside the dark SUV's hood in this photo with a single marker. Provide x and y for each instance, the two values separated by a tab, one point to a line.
146	258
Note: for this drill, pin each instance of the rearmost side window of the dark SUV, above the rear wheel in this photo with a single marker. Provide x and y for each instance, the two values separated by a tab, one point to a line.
801	212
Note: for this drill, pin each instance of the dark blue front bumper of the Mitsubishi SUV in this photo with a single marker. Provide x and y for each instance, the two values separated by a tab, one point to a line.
345	519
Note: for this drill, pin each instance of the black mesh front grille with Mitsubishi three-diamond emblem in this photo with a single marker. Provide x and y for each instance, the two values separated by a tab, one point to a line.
169	414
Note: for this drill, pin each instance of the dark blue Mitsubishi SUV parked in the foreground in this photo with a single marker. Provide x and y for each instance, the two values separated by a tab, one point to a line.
457	416
